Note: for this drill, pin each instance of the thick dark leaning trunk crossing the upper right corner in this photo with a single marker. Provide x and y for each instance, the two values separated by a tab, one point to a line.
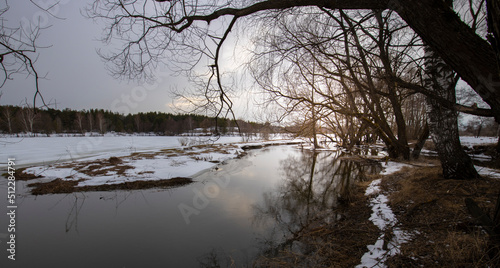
463	50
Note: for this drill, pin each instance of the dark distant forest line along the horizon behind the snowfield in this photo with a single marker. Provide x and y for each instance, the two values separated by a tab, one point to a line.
14	119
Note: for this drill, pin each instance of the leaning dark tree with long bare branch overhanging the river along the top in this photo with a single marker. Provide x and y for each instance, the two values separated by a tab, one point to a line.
158	30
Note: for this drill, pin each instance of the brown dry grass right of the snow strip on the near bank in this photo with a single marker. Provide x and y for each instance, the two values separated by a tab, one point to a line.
434	207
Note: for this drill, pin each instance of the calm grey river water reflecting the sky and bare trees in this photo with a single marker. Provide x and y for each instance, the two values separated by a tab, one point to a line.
242	209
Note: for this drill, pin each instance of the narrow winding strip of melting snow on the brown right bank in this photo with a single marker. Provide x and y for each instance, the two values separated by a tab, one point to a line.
385	220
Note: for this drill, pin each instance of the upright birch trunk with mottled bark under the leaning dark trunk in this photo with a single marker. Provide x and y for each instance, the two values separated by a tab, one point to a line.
443	123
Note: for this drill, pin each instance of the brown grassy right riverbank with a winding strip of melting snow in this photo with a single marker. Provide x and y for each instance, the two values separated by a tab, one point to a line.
406	216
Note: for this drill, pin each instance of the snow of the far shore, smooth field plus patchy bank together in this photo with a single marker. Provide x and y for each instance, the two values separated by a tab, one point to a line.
140	157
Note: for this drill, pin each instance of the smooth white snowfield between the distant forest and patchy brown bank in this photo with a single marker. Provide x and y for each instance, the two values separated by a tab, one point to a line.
46	150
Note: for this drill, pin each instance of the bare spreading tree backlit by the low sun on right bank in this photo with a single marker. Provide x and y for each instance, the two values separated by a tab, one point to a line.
356	55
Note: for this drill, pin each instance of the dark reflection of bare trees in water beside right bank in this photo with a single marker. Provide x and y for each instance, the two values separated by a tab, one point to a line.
314	187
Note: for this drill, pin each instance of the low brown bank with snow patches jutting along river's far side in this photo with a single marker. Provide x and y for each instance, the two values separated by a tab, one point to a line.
162	168
